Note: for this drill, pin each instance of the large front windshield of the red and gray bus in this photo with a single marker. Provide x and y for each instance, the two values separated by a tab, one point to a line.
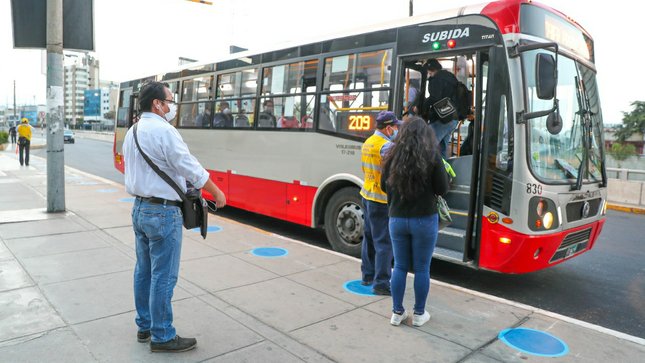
557	157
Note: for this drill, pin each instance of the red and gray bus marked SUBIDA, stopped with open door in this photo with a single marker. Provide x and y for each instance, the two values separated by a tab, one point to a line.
280	131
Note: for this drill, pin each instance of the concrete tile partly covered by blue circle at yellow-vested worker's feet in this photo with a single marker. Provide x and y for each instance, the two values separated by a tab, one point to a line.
331	279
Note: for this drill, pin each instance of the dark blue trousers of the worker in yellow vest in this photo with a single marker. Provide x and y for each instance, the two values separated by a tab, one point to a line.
376	251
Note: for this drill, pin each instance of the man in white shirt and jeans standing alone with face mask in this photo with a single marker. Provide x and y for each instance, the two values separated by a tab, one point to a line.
156	215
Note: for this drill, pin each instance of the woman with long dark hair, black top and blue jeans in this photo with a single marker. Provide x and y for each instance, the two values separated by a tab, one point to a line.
413	175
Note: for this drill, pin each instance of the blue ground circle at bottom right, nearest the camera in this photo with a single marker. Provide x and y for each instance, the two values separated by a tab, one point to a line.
534	342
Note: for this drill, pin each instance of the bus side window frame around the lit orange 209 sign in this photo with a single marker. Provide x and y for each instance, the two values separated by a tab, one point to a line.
326	91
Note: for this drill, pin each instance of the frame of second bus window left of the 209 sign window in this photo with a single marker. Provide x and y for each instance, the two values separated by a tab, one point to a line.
237	97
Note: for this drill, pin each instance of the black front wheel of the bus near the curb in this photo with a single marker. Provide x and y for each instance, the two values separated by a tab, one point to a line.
344	221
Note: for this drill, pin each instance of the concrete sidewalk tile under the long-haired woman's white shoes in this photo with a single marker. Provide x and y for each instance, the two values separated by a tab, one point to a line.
458	316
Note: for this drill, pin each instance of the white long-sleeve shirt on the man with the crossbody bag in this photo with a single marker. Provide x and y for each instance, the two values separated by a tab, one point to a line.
165	147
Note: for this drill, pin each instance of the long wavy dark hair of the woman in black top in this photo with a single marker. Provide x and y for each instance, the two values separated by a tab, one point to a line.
412	158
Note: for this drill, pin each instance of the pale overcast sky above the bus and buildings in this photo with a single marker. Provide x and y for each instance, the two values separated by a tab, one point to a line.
136	38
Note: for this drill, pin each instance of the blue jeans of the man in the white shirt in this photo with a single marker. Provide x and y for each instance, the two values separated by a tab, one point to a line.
157	230
